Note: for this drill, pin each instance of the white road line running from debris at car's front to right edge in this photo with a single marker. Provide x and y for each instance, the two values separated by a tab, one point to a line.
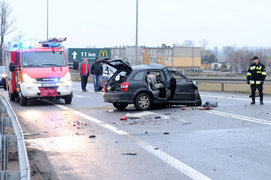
245	118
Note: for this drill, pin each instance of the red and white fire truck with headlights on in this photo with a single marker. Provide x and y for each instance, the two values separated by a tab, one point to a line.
39	72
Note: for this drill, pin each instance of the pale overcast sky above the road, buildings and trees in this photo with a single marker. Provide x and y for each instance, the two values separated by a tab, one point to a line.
109	23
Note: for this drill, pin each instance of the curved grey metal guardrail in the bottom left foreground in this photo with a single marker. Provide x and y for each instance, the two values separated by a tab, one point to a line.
8	141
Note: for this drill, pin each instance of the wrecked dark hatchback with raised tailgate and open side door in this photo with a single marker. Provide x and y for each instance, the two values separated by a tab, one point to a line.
148	85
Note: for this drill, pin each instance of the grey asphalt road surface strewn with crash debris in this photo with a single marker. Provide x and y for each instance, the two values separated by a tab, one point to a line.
88	140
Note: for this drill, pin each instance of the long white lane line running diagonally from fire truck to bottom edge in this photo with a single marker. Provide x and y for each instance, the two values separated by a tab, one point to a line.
182	167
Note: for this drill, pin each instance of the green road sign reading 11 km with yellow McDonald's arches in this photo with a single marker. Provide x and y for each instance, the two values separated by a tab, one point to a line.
91	54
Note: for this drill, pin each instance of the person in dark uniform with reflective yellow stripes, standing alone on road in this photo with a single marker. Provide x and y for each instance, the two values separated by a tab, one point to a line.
255	77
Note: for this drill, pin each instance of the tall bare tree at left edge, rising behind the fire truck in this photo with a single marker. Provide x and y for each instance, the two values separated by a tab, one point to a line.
6	24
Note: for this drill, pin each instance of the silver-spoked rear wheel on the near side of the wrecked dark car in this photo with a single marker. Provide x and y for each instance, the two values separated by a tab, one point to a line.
143	102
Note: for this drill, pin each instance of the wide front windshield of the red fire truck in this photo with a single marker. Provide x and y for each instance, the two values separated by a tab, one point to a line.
43	59
